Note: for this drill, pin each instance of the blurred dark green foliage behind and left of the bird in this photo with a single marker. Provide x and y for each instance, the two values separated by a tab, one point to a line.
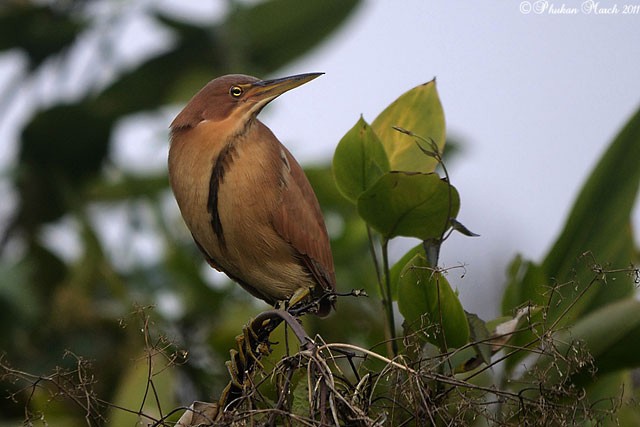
64	175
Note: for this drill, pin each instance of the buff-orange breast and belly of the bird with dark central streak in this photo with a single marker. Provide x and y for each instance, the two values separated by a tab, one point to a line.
238	183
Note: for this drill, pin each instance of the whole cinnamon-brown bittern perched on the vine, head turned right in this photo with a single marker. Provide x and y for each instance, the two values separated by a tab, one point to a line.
245	199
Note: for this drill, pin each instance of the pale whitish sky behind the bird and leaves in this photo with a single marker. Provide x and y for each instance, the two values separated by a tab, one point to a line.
534	98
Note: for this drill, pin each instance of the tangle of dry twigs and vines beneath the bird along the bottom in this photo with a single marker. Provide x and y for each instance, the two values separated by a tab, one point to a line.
343	384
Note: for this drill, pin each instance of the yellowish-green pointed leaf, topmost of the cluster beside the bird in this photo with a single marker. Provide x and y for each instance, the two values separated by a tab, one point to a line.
419	111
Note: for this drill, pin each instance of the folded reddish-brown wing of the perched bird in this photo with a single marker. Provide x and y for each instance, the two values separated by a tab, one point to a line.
299	221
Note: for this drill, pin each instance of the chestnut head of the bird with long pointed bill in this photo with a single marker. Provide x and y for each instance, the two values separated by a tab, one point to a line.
235	97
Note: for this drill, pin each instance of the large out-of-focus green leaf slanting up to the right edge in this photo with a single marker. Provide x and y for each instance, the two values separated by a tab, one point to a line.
599	226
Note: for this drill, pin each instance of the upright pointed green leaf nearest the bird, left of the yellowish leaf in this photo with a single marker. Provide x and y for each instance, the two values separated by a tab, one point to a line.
359	160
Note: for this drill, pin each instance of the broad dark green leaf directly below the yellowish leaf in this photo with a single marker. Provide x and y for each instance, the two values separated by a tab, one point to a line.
409	204
